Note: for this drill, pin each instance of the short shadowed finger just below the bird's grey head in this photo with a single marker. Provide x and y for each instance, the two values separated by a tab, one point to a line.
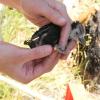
70	46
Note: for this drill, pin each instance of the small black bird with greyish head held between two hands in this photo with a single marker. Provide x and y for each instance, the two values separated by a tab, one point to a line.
50	34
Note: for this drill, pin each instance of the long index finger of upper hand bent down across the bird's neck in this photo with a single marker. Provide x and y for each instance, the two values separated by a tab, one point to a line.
66	30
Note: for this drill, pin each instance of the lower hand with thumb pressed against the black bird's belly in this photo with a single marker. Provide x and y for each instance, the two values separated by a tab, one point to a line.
25	65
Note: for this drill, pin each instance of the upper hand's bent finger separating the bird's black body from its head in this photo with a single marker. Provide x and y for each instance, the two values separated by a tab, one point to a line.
61	10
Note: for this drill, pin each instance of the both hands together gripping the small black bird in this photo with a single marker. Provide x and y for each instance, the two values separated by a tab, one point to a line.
24	64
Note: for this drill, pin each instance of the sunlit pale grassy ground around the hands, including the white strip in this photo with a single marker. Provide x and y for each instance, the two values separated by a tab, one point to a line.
52	84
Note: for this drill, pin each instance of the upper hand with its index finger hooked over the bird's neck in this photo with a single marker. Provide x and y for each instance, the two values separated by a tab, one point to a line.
42	12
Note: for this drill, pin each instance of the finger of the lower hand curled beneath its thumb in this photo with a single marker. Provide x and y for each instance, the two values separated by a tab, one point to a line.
46	66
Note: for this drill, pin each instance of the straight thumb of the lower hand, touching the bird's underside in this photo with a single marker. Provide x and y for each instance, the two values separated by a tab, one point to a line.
36	53
